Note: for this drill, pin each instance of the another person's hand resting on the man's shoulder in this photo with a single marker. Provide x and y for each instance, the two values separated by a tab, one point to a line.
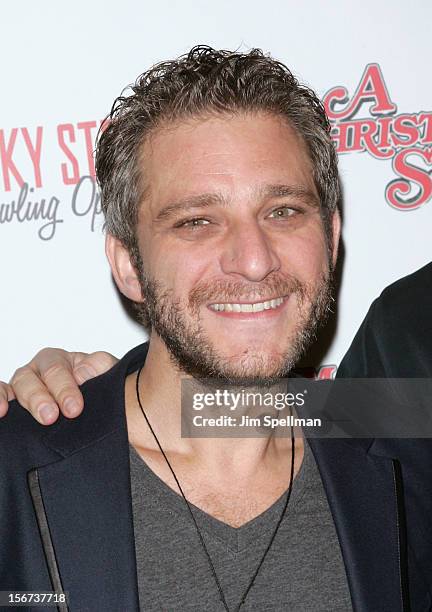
49	383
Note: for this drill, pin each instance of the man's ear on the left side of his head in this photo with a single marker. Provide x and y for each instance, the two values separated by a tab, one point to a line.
123	271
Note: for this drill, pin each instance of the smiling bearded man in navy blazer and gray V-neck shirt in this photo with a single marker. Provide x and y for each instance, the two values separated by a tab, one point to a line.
219	186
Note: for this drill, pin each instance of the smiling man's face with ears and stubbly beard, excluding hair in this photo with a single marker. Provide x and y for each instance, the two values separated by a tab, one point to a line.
230	244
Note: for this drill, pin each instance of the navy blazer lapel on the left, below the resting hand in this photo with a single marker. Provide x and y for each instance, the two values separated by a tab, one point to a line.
87	502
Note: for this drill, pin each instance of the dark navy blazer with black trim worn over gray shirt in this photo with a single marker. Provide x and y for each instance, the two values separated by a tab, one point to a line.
66	510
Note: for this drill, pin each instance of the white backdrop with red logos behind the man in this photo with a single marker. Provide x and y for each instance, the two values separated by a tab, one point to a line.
63	65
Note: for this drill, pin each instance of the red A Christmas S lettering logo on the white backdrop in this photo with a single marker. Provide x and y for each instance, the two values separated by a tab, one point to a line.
368	121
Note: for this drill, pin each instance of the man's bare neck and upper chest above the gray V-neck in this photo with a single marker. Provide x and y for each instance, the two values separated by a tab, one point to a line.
232	479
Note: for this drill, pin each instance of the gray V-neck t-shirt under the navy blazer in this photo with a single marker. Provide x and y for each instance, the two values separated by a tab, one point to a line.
303	571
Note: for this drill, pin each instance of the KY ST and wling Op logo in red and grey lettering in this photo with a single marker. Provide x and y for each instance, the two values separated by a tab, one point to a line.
24	166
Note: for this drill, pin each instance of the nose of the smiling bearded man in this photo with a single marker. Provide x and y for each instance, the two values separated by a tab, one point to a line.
248	251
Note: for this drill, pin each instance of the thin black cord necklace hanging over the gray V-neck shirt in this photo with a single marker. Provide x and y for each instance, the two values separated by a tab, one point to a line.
210	562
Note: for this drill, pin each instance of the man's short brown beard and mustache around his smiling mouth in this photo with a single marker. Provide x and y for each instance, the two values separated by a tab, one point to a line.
194	354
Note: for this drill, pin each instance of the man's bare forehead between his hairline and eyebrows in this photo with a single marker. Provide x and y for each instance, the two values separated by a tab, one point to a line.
192	165
